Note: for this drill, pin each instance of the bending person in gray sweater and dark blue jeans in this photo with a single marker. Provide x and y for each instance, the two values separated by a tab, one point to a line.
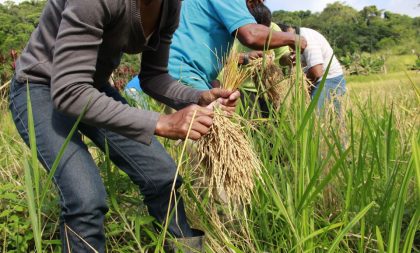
66	64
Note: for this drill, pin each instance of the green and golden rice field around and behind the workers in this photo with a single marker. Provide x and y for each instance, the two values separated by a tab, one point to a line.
327	185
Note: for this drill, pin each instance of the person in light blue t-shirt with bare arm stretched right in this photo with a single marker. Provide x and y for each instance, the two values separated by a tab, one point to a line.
206	32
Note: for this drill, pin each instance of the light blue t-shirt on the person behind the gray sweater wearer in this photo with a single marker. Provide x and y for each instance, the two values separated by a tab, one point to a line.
203	38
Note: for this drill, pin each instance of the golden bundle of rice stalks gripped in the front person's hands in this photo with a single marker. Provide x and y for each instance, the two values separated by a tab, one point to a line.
231	163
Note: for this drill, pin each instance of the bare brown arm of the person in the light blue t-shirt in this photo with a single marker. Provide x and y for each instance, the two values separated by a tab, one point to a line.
256	37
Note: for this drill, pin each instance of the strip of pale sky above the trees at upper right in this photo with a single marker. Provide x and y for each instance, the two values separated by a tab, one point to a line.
408	7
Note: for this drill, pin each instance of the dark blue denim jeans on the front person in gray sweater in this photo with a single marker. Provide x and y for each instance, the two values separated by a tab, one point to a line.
82	192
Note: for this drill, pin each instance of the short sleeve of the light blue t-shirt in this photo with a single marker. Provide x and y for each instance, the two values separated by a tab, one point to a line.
233	13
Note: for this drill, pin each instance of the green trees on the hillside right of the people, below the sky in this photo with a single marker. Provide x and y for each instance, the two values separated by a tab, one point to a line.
349	31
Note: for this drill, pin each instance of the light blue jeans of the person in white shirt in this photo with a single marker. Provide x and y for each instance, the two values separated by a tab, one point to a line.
334	89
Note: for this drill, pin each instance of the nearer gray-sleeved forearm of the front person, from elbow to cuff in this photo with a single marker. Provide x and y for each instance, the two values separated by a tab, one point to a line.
104	111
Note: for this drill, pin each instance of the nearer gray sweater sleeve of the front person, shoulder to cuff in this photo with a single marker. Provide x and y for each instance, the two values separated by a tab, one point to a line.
74	64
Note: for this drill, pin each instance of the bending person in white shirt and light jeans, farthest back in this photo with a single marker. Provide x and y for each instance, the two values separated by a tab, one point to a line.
315	61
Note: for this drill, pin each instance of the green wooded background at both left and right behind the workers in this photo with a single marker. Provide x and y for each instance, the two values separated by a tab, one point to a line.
347	29
